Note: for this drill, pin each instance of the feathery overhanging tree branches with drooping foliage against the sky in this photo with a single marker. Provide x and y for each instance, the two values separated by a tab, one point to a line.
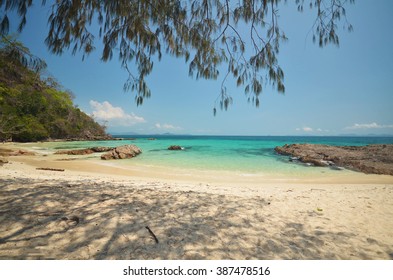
203	32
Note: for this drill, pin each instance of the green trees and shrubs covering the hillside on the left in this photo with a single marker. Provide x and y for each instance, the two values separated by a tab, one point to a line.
35	108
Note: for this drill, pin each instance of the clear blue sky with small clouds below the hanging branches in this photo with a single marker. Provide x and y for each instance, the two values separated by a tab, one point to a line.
329	91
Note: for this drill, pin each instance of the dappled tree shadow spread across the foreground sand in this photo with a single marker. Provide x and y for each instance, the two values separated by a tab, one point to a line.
52	220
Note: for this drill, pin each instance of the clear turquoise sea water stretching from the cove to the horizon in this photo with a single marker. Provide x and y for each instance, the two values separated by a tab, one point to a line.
244	154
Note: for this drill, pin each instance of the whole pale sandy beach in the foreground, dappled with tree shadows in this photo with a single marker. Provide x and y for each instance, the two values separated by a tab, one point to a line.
97	211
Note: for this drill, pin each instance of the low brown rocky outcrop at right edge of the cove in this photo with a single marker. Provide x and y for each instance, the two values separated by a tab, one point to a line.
371	159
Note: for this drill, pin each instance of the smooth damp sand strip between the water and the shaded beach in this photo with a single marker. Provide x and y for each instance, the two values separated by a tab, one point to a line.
93	165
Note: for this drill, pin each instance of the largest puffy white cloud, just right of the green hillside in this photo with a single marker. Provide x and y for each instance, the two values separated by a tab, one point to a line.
114	115
